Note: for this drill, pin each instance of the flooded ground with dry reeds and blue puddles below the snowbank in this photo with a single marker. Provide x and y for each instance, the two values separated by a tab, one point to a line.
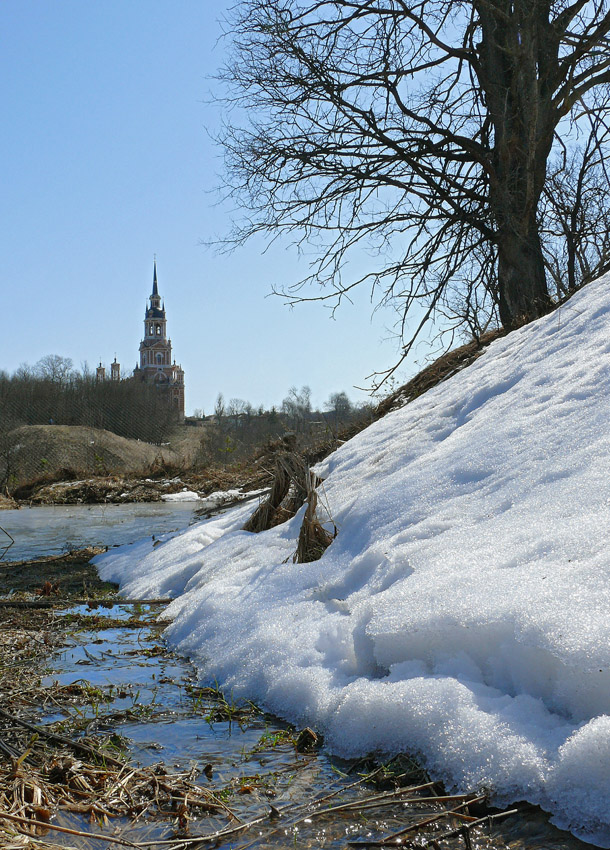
107	740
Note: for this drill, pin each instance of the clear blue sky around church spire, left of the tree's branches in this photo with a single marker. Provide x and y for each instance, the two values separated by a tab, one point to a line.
106	160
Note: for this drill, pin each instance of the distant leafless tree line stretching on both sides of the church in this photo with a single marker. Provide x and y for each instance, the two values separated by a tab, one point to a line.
53	392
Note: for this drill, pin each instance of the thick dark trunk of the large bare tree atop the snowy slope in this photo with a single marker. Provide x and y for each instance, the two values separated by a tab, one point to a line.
515	67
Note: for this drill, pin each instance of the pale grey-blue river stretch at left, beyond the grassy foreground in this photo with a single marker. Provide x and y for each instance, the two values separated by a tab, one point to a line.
51	530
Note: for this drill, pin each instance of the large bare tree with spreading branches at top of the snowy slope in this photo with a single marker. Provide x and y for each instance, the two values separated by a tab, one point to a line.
422	129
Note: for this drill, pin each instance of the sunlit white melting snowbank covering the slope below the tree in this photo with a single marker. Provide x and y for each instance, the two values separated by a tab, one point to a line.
463	611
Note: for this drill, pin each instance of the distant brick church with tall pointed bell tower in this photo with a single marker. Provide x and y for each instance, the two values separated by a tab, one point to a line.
156	364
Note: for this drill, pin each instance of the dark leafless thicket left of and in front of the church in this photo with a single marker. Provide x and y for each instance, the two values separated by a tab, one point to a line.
53	392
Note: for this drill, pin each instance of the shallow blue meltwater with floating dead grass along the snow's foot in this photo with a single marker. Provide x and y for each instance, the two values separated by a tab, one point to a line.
151	707
